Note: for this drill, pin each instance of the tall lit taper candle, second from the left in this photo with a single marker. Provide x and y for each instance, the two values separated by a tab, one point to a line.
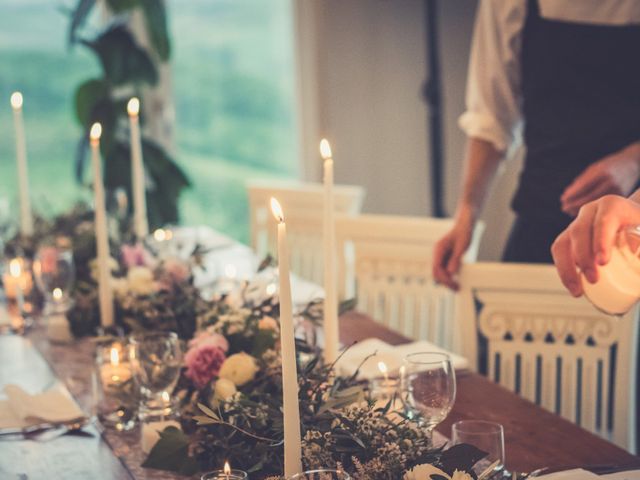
102	237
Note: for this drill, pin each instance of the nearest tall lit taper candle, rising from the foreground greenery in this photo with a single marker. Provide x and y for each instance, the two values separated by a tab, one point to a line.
291	409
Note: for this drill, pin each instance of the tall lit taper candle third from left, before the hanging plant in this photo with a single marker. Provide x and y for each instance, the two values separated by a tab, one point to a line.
141	227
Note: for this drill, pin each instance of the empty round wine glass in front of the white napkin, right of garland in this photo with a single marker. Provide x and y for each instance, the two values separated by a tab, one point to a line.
428	387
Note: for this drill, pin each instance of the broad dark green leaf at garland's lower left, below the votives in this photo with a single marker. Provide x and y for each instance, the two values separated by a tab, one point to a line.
172	453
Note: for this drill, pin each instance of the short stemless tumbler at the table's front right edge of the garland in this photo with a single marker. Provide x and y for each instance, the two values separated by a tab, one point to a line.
487	436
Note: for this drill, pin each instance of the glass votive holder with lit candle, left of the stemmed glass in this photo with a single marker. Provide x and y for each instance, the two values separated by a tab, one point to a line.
118	398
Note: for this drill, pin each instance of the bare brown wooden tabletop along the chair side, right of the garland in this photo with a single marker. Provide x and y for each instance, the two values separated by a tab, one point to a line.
534	437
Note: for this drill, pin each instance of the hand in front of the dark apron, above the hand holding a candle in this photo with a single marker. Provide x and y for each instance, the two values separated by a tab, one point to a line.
615	174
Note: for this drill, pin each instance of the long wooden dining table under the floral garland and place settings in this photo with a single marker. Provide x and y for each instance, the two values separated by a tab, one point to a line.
534	437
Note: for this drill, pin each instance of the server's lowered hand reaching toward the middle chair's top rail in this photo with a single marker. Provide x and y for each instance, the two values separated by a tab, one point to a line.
448	252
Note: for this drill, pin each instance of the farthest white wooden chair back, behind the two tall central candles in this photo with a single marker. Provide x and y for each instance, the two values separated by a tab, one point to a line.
303	208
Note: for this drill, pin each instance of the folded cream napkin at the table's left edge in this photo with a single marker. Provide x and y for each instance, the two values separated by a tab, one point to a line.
22	409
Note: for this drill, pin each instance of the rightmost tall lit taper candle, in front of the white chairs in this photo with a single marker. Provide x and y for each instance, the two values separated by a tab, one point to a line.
329	255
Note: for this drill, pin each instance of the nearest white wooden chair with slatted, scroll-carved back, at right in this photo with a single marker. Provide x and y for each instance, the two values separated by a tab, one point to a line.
537	340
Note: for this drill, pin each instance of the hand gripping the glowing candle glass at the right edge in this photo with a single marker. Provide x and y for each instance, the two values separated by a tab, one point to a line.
588	241
